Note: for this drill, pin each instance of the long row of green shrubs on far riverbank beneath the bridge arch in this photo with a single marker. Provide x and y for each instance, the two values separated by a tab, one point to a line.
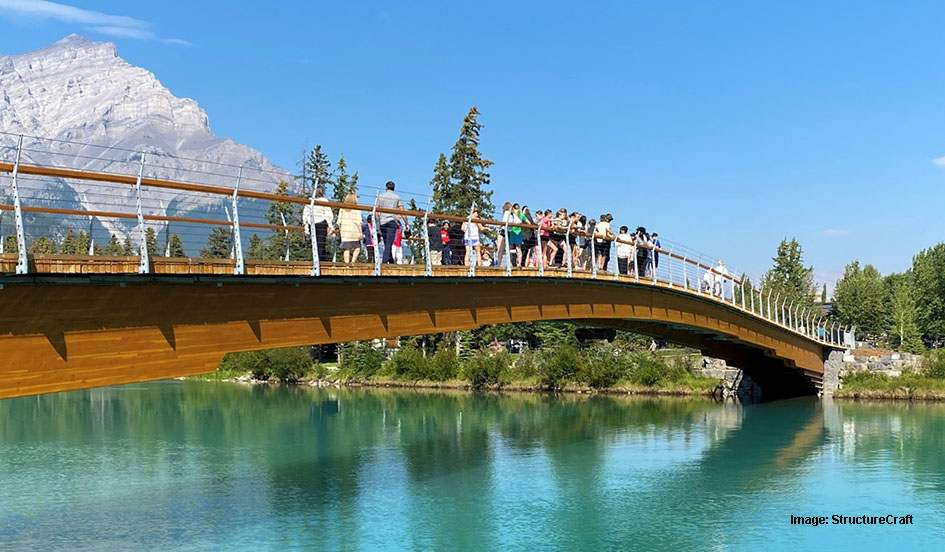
567	367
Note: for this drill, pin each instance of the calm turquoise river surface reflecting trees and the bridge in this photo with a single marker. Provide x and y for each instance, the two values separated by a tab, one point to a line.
200	466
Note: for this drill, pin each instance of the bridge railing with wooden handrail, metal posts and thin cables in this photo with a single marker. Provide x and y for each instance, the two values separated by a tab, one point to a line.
142	196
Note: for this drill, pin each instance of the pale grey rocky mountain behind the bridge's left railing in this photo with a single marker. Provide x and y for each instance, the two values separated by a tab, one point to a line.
81	106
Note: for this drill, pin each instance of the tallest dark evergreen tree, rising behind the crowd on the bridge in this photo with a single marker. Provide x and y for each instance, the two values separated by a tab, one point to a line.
469	177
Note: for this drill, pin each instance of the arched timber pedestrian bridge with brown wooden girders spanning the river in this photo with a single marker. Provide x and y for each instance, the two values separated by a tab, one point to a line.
72	321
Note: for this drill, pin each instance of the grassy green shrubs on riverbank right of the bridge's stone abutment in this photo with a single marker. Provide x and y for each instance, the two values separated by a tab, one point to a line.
927	384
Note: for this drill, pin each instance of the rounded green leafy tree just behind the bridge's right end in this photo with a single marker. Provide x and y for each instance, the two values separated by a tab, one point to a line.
859	299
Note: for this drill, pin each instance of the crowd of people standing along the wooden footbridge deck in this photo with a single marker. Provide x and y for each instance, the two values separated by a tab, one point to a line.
545	238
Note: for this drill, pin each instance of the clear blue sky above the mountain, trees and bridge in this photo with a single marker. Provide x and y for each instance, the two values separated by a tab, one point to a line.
725	125
